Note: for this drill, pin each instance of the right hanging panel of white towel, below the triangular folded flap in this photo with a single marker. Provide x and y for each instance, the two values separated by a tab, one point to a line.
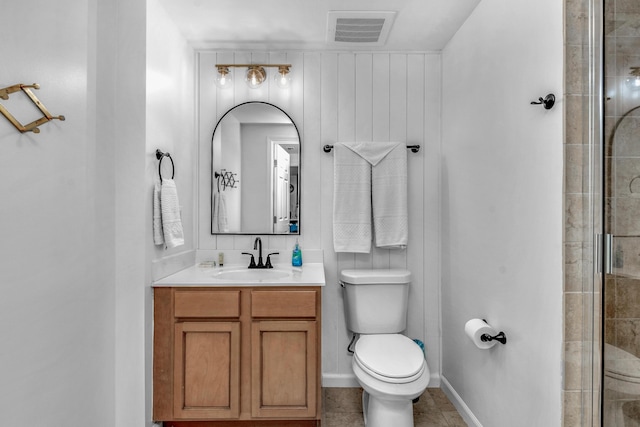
390	201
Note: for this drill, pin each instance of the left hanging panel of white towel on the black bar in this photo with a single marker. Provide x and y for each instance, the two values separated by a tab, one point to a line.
351	201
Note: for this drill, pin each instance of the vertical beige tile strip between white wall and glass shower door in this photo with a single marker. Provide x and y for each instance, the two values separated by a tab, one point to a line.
580	292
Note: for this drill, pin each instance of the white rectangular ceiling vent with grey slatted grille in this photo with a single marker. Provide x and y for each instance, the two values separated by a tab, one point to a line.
362	28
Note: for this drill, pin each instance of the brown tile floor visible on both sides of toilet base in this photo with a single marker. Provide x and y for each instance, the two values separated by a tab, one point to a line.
342	407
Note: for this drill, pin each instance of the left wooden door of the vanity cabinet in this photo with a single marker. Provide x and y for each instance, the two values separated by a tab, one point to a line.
207	370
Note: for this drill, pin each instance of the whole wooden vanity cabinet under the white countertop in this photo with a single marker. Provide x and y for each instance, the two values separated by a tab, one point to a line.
244	356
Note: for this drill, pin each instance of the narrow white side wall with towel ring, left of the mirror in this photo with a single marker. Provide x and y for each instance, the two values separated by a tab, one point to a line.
170	124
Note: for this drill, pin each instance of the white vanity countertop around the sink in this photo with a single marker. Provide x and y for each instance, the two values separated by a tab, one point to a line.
309	274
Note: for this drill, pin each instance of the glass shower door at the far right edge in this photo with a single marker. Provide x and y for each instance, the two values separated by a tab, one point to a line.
621	356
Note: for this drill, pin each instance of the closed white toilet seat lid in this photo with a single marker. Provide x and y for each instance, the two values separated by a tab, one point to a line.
391	358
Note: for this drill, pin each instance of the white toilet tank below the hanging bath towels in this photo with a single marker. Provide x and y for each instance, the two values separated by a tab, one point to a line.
376	301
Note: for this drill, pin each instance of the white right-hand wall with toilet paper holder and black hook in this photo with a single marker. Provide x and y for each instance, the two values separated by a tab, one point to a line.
502	211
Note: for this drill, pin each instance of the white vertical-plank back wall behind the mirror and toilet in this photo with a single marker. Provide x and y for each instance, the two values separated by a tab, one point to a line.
395	97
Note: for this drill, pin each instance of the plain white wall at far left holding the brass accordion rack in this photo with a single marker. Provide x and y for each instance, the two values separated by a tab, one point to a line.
69	261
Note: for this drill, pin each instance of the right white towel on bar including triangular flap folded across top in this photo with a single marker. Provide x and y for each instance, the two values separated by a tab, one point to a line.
388	189
